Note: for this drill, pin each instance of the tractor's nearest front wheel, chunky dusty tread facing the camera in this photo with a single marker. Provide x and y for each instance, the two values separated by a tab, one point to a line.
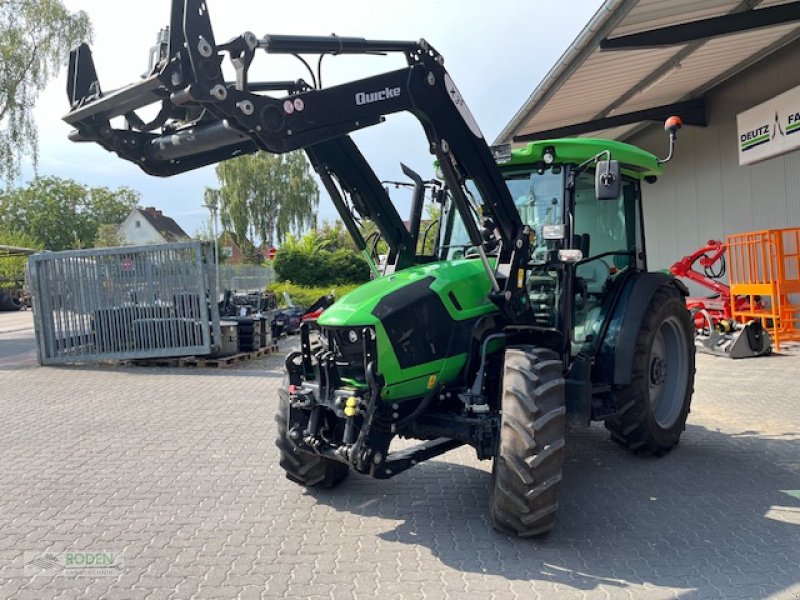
526	475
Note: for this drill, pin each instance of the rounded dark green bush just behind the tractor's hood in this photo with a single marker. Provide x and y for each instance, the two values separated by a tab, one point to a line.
320	268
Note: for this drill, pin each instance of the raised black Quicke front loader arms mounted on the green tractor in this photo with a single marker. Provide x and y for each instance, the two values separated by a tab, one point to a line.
204	120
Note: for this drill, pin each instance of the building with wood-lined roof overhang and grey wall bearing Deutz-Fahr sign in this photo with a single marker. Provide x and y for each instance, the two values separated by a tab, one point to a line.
637	62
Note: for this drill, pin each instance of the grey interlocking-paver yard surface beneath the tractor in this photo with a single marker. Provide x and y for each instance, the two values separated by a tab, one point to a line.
176	472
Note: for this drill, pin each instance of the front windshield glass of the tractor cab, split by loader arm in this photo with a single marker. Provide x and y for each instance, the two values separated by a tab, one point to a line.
539	198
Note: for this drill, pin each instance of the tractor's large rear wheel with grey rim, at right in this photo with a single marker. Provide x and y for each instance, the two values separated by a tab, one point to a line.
654	406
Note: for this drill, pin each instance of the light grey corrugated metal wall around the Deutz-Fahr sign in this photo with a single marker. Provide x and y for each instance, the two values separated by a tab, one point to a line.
704	193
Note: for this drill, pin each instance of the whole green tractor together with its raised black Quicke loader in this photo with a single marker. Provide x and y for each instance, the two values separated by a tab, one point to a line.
535	310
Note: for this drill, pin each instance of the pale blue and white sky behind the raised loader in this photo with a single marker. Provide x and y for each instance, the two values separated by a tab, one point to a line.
496	52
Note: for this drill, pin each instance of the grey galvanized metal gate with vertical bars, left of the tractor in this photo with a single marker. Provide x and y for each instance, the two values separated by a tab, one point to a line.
124	303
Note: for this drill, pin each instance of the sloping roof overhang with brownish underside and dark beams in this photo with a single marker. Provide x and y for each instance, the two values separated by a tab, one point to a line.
638	61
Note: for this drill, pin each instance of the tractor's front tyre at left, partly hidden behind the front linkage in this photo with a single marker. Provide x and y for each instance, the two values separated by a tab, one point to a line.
304	468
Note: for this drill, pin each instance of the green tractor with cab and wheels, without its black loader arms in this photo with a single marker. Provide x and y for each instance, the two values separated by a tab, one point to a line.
426	353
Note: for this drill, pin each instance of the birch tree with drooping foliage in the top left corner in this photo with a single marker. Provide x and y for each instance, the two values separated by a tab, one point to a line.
35	39
